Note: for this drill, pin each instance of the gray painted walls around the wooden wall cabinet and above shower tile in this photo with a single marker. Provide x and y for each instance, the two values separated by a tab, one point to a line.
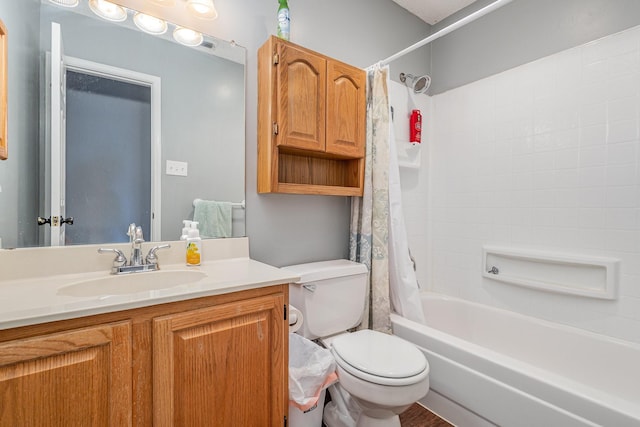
286	229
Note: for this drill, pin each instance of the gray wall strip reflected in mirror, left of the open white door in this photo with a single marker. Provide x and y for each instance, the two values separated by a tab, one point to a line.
22	165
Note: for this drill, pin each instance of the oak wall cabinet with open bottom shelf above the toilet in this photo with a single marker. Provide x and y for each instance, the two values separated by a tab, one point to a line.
311	122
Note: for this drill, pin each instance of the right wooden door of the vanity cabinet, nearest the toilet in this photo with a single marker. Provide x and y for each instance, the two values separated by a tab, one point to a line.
221	366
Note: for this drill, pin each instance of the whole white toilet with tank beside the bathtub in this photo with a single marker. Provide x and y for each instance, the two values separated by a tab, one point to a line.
383	373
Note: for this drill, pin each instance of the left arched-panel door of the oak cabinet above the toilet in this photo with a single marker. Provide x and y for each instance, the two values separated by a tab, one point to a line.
301	91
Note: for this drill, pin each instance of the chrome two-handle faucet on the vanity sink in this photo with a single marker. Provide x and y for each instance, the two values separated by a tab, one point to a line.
136	262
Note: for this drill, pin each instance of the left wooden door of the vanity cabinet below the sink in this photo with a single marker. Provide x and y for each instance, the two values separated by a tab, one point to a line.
75	378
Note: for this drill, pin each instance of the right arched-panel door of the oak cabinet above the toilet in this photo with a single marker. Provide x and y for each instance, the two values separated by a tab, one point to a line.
345	110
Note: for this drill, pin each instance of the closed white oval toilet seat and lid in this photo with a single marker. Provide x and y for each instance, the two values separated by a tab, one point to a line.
380	358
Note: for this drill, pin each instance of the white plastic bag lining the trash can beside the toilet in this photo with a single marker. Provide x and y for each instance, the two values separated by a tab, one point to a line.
311	369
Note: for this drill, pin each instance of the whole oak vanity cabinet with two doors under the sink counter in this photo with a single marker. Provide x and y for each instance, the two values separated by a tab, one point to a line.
212	361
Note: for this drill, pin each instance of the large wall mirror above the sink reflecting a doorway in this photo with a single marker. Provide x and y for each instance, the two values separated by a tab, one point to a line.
148	126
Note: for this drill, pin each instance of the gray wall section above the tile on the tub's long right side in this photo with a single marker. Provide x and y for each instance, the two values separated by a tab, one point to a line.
520	32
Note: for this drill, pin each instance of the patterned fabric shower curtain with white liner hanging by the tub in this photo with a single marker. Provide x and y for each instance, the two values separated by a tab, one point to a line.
377	216
